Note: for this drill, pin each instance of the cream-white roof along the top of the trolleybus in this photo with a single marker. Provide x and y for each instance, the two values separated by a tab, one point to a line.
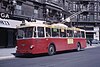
58	25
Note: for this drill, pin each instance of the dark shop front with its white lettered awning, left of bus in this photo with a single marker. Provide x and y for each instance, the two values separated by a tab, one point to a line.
8	32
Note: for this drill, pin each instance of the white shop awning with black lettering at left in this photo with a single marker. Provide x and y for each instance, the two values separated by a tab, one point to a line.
8	23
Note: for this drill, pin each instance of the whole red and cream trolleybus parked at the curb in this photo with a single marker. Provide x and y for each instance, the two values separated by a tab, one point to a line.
35	38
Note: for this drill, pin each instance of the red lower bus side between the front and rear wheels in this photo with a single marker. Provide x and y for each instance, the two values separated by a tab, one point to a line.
62	44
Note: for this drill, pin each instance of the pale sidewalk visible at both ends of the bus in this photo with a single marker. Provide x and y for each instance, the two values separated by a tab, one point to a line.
8	53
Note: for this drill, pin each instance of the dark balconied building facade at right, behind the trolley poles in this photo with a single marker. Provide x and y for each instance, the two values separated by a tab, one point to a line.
89	19
